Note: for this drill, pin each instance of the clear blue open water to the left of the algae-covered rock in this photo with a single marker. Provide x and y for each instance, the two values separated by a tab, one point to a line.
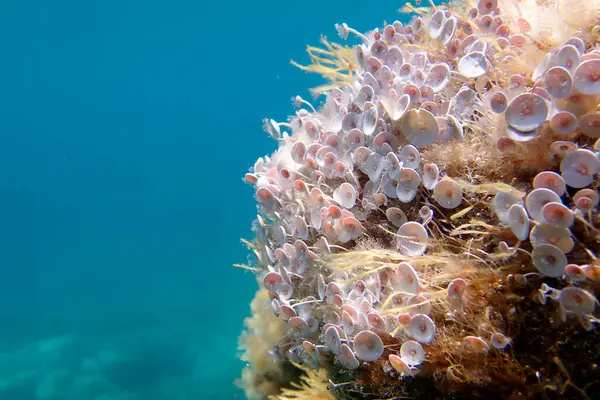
125	127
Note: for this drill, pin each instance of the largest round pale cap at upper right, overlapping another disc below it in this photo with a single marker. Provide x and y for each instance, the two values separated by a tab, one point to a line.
526	112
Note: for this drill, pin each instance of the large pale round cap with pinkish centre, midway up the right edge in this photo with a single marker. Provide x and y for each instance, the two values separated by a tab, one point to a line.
579	167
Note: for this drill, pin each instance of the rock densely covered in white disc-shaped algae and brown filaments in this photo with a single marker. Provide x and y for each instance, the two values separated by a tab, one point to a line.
430	229
